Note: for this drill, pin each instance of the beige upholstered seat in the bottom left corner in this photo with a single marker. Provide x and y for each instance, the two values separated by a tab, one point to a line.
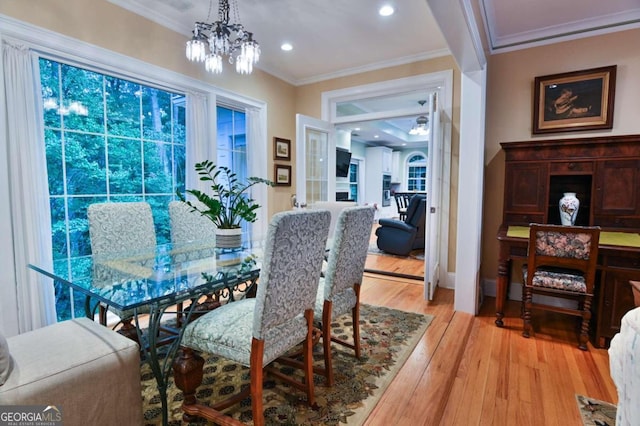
87	371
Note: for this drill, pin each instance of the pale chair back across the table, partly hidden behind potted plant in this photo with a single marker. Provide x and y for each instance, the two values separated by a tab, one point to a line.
187	225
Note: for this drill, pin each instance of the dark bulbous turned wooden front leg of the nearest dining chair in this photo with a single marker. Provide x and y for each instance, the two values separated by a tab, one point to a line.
187	374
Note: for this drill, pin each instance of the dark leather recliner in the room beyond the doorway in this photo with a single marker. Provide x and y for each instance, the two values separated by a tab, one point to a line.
400	237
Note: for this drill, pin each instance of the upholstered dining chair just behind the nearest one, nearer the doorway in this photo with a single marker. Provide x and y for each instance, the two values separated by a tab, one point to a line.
339	289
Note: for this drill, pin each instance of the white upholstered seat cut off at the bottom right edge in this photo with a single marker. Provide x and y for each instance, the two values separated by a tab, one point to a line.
624	362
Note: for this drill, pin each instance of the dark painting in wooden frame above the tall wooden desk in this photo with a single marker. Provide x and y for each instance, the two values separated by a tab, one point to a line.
573	101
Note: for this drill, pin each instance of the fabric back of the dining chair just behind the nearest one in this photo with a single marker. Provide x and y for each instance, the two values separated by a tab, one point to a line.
349	251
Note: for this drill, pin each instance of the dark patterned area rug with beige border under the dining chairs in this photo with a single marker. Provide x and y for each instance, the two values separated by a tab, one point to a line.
388	337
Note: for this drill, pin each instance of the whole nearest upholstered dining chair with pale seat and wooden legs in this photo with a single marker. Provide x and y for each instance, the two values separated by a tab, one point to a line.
256	331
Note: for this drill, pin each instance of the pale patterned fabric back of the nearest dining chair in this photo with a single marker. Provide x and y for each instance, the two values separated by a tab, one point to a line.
293	254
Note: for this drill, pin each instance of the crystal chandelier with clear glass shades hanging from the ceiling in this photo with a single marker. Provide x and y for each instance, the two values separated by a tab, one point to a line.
213	41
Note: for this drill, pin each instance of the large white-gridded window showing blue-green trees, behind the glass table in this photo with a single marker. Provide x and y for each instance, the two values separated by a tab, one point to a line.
107	139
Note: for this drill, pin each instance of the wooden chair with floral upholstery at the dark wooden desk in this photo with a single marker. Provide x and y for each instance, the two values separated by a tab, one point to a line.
561	263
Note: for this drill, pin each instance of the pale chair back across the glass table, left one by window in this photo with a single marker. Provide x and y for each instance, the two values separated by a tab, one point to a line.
121	227
